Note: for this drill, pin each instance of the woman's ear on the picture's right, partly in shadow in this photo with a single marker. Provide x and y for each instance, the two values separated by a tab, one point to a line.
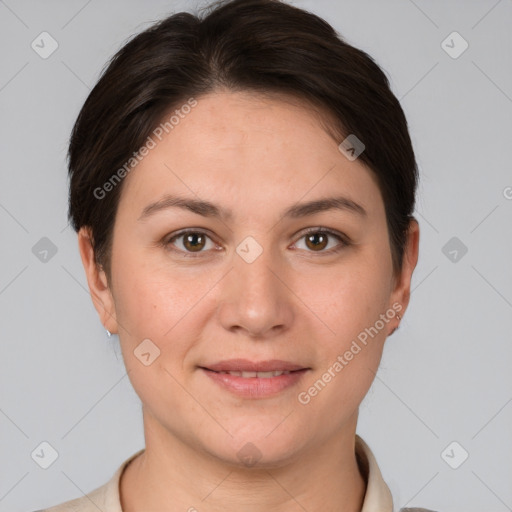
401	292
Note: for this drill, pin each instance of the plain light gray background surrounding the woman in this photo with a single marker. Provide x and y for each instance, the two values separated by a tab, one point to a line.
445	375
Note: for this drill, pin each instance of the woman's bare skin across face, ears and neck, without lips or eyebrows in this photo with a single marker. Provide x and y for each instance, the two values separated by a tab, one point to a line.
256	156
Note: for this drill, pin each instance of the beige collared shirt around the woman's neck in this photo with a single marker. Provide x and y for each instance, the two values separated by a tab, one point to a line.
106	498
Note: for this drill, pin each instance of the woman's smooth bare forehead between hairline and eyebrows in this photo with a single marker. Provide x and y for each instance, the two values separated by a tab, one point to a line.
249	150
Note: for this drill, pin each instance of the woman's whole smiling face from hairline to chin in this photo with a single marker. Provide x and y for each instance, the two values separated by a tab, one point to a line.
249	283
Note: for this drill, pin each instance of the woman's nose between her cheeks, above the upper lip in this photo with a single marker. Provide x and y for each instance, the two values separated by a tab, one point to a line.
255	299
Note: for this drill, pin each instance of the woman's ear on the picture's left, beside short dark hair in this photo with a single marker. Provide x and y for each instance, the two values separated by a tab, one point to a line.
98	285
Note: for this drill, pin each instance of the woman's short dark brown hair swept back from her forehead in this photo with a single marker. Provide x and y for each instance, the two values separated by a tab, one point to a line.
263	46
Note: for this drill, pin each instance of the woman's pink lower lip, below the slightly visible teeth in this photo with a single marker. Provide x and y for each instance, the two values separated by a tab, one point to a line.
255	387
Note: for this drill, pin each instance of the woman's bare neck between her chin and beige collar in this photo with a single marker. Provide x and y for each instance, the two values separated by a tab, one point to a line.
174	476
